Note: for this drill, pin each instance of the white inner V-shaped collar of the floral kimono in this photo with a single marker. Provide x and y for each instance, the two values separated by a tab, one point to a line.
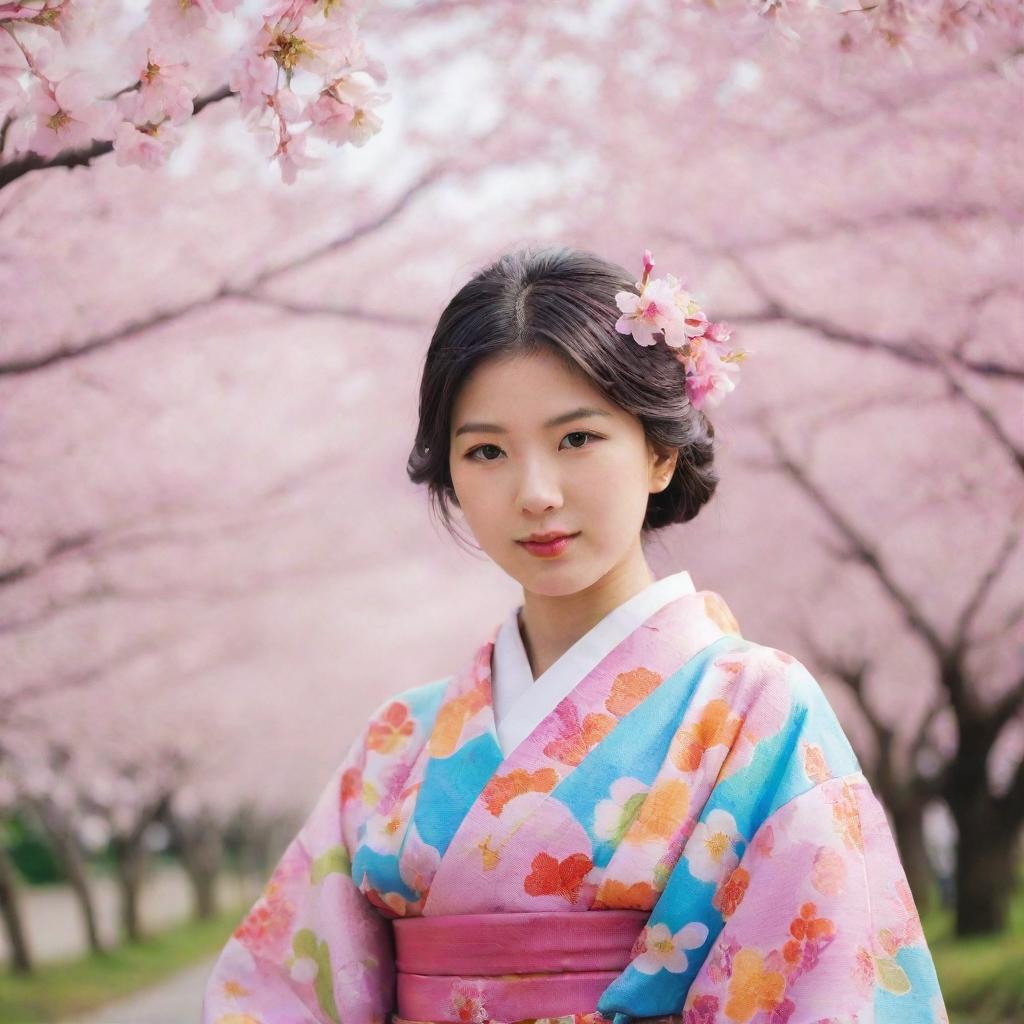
522	703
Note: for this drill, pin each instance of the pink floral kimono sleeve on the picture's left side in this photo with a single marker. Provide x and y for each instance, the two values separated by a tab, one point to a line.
313	949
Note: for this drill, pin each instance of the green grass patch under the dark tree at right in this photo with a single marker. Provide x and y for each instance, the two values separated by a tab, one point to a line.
983	979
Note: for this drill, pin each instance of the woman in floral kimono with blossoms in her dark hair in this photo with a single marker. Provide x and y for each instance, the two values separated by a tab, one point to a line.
620	807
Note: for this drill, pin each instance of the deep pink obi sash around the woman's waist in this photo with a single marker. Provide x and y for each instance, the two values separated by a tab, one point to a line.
510	967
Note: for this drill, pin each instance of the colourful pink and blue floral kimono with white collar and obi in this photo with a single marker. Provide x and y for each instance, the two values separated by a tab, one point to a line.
668	824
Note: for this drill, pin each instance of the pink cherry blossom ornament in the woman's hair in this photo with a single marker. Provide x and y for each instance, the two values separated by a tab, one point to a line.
663	307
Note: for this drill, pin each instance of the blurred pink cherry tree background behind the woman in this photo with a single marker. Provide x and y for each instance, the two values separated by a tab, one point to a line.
214	567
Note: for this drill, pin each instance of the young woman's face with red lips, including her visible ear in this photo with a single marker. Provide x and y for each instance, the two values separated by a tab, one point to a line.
517	472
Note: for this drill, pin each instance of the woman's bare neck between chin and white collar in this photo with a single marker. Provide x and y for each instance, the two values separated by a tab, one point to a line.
551	625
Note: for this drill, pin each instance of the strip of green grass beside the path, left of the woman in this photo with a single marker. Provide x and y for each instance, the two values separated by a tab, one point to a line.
64	990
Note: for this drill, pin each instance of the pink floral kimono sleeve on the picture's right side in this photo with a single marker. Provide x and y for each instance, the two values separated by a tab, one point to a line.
820	922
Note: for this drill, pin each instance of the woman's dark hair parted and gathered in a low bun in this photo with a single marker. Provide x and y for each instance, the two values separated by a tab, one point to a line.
564	300
